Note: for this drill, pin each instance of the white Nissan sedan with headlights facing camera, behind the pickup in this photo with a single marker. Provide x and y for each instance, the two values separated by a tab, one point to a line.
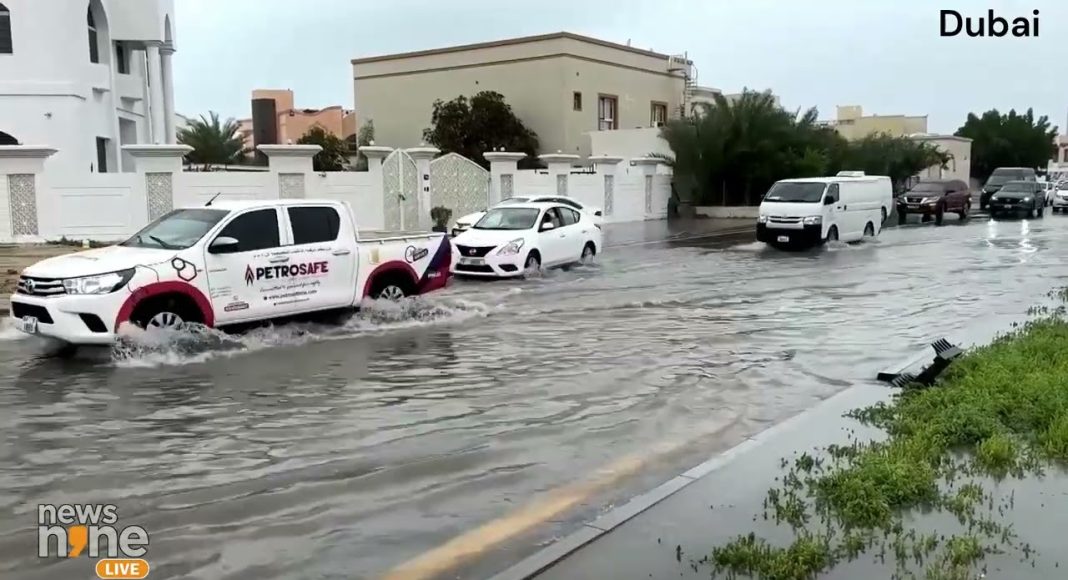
519	239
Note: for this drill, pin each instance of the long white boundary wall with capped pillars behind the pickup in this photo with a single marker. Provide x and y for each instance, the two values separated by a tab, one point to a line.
39	206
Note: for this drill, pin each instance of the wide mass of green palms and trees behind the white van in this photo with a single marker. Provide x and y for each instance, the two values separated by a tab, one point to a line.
731	152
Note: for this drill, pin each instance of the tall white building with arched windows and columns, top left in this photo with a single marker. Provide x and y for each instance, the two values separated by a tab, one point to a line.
87	77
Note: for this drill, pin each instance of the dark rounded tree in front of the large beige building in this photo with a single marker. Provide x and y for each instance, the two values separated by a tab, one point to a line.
483	123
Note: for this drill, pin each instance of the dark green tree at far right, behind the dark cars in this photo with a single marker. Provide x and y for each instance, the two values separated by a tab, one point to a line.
1009	140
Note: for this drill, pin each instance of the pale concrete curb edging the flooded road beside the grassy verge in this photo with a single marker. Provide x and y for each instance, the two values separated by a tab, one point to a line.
591	531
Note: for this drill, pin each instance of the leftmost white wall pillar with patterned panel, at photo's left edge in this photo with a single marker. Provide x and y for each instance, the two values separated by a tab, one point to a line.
21	169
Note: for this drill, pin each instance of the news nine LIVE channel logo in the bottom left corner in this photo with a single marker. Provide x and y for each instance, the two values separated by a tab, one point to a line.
73	530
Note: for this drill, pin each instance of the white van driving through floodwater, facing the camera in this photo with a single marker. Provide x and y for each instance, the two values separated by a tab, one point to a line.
809	212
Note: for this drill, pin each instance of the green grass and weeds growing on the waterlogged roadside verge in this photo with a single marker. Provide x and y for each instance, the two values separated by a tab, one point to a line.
1000	411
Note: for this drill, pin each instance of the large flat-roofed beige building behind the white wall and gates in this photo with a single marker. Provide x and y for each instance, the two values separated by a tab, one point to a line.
562	86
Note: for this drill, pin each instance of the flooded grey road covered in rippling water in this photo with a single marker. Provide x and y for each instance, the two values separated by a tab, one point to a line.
317	452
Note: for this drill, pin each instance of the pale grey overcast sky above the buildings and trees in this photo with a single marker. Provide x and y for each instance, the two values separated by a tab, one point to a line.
884	55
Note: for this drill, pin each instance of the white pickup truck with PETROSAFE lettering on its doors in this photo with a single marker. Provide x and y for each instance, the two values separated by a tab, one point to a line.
228	263
